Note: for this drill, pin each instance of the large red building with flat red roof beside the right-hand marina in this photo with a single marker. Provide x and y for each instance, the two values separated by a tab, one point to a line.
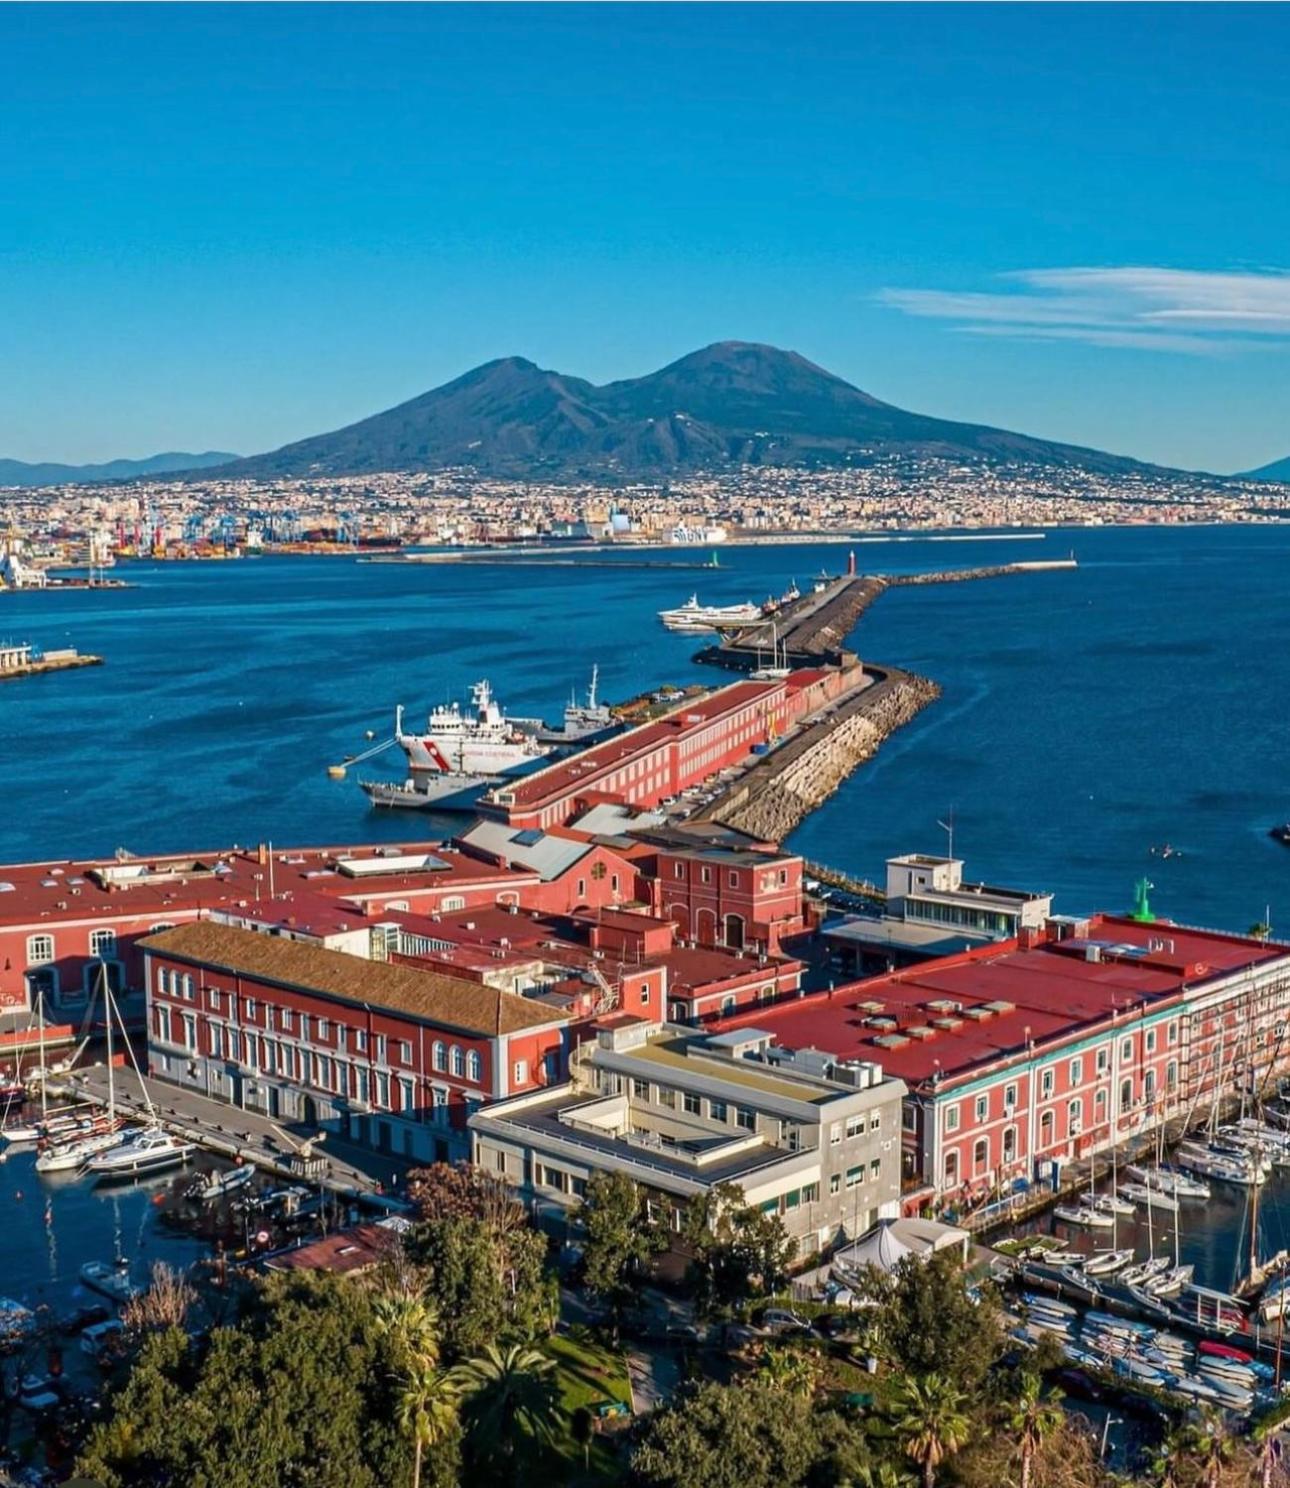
1029	1053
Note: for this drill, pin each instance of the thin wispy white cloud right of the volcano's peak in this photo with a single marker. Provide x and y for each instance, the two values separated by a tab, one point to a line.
1146	309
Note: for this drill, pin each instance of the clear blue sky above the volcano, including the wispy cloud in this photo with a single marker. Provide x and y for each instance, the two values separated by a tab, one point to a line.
227	227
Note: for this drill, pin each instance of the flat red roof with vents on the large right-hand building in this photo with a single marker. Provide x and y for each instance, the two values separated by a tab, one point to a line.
1045	995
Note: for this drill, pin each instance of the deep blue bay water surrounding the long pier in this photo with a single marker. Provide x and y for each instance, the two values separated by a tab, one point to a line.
1087	716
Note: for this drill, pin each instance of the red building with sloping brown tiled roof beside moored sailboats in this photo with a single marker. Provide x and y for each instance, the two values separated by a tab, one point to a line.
391	1054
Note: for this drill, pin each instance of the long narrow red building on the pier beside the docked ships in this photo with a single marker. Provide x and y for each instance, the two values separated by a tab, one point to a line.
670	755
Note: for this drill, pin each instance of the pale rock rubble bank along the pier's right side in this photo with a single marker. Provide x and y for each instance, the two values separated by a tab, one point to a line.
780	792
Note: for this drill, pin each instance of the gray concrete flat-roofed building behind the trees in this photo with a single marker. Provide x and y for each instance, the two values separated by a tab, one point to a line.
804	1136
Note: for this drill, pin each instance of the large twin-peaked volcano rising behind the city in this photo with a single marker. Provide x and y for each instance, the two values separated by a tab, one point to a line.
731	404
